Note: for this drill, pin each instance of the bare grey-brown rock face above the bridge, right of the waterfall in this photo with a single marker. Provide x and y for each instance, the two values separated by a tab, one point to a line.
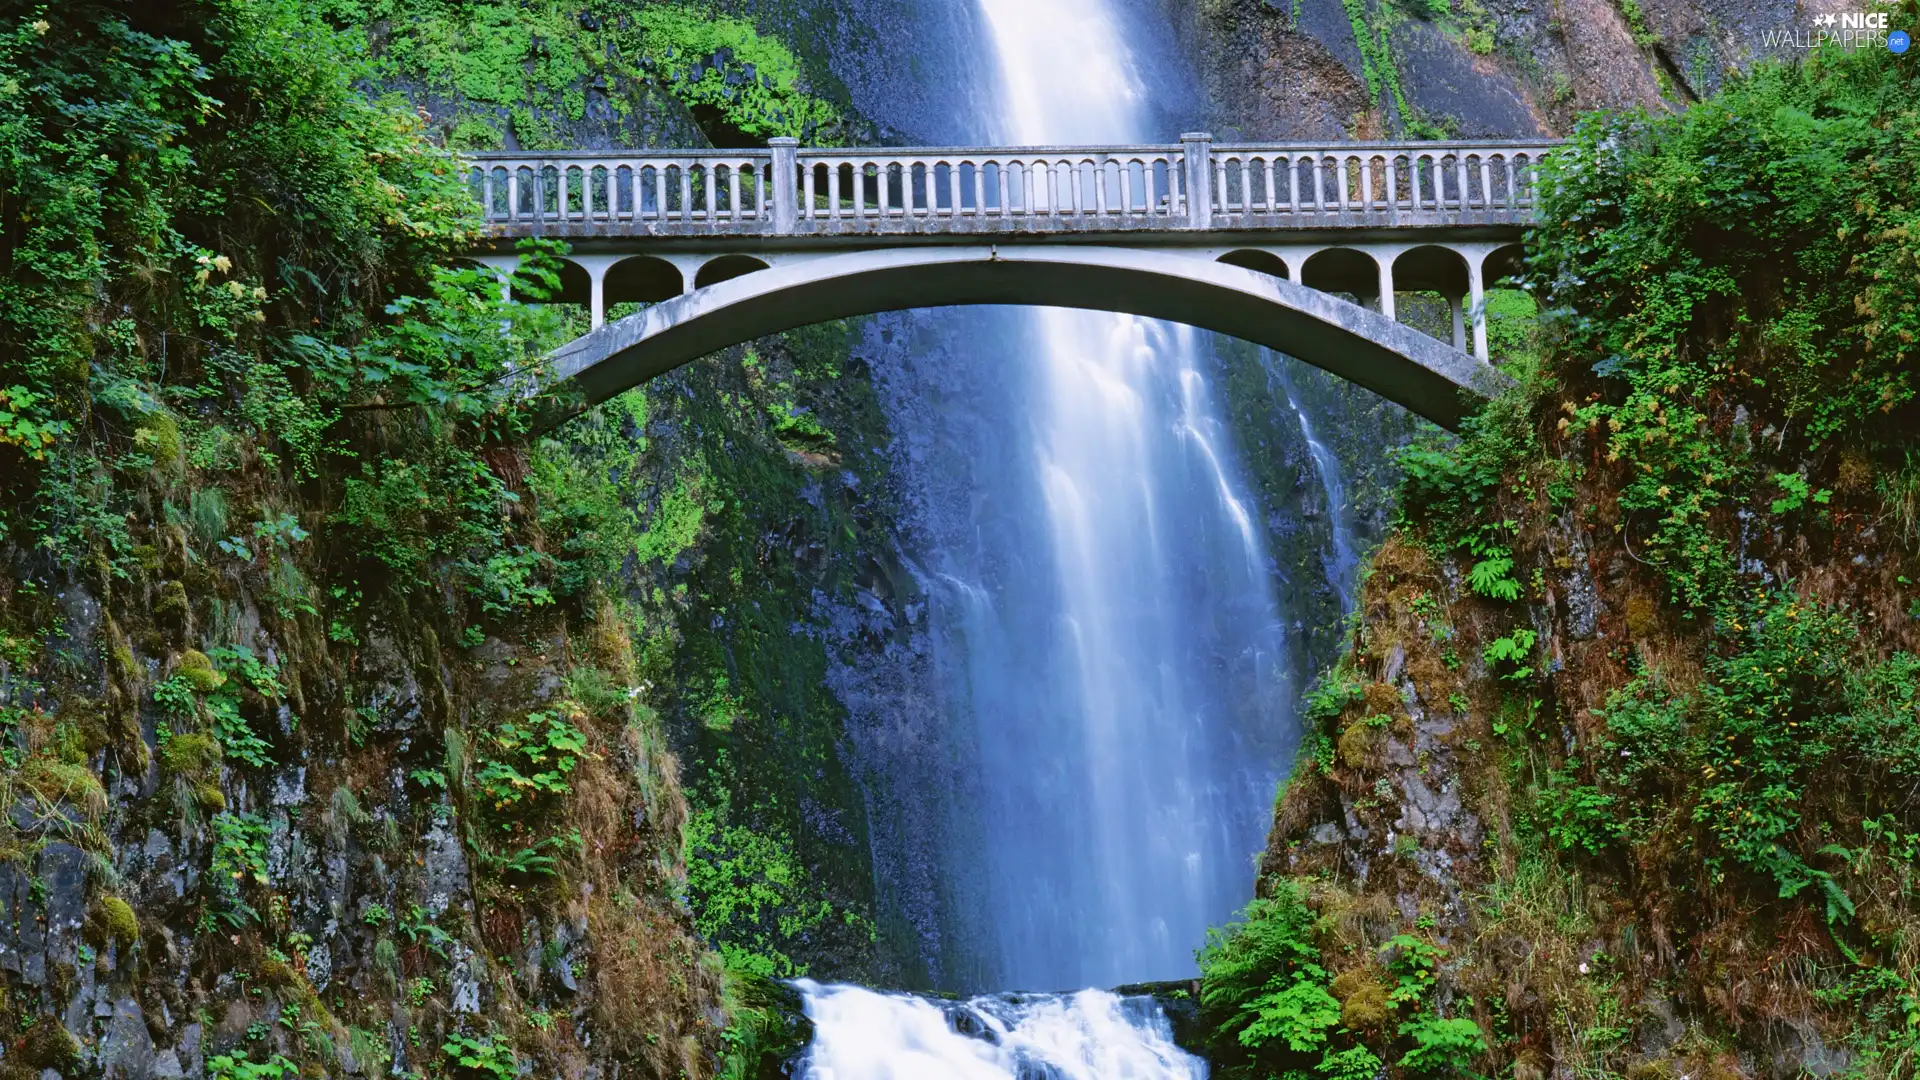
1280	70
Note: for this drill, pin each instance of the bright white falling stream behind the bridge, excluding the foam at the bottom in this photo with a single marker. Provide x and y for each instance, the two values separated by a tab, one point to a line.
1153	554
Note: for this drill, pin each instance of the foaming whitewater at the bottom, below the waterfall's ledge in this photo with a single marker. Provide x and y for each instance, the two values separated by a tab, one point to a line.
1013	1037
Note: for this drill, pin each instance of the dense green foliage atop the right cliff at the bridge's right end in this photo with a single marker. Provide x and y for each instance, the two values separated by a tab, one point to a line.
1754	249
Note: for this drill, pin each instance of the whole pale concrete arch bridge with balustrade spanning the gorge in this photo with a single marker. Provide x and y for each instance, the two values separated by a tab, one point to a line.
1301	249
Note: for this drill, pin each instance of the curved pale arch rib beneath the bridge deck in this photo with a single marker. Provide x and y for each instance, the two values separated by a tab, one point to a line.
1362	347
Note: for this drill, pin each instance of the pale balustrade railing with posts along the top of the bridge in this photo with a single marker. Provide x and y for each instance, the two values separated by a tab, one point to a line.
990	193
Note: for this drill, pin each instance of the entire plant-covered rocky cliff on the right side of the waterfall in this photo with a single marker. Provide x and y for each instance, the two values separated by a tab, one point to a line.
1616	772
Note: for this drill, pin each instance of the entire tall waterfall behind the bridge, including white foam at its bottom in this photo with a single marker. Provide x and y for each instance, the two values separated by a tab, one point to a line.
1105	662
